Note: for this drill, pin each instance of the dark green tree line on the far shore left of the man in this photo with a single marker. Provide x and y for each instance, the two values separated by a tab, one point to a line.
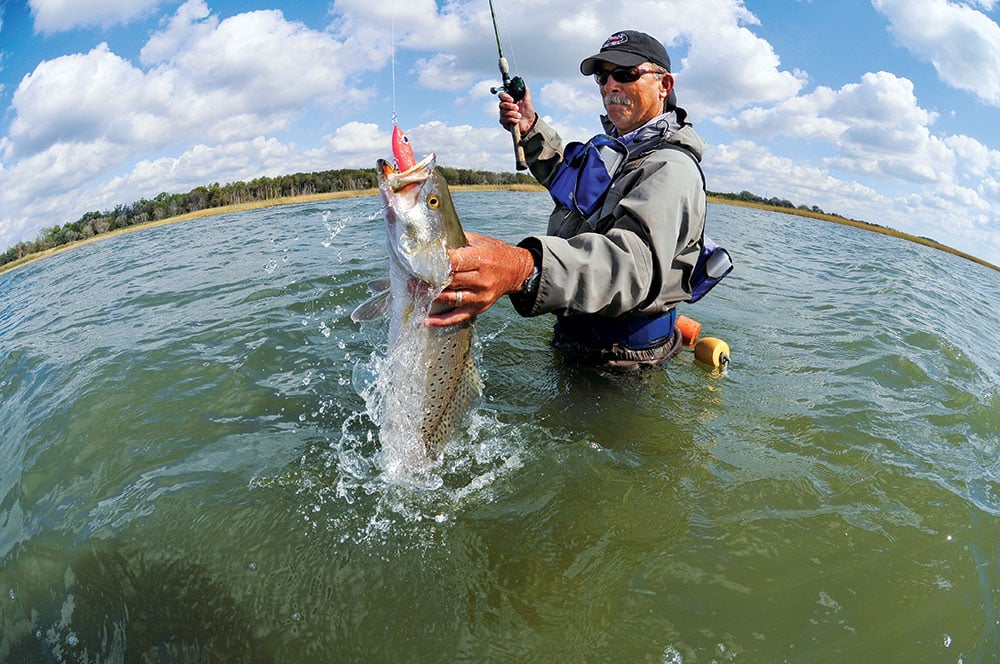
261	189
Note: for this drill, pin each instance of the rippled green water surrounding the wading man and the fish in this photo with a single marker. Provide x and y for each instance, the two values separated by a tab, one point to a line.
188	471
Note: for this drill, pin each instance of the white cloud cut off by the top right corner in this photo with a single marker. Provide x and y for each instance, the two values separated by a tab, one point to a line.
962	43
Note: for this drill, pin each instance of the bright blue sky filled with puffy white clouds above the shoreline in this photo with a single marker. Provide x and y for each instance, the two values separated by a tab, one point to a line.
880	110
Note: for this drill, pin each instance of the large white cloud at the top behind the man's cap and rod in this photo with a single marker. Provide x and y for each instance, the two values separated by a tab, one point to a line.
746	71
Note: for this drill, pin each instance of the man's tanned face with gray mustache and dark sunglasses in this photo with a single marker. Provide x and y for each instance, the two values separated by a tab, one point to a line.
632	104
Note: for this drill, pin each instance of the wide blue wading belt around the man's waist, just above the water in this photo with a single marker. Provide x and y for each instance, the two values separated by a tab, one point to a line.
636	333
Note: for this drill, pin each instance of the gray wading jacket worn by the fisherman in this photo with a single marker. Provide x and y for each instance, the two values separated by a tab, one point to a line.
636	254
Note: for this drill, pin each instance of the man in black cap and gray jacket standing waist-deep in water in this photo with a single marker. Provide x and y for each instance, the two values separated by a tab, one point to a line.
613	277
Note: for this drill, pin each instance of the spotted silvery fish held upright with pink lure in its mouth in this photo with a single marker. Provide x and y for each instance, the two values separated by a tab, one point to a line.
428	381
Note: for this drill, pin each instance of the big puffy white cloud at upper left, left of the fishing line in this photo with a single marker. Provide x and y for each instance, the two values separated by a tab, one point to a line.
206	80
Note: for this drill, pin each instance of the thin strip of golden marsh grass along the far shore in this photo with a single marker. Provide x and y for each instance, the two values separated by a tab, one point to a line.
359	193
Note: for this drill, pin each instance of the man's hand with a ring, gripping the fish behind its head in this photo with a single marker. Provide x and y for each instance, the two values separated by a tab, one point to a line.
482	273
